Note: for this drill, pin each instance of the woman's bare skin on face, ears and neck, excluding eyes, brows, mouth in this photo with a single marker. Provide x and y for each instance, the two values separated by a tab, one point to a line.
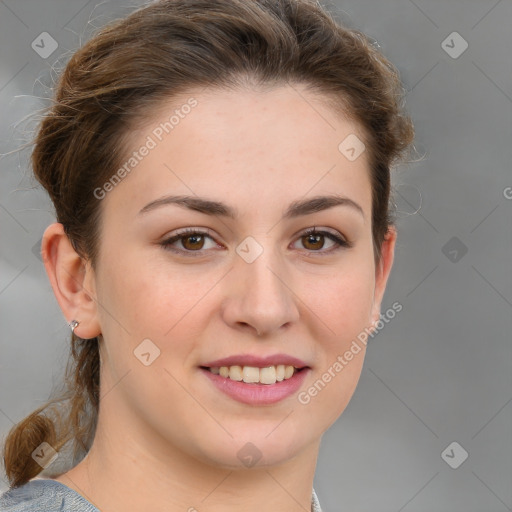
167	439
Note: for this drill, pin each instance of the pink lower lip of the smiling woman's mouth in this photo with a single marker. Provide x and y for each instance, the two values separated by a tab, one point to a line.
258	394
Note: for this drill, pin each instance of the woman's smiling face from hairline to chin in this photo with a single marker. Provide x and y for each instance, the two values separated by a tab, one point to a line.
250	285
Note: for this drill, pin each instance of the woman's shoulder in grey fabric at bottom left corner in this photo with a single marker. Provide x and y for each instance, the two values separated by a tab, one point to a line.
42	495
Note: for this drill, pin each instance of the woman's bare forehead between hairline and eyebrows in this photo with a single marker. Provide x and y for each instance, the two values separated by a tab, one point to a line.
261	148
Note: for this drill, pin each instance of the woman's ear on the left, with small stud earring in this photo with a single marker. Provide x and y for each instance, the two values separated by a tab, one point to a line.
73	281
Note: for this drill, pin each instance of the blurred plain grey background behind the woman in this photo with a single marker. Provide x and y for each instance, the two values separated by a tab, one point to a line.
440	371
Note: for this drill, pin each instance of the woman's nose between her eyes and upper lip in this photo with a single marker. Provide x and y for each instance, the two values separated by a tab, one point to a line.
260	298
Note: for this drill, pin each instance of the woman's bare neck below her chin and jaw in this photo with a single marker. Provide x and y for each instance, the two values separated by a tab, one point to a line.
138	472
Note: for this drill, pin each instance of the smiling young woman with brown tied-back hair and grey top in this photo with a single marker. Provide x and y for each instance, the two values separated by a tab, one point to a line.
220	172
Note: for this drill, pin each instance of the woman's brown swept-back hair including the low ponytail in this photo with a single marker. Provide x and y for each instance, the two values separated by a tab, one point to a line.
159	51
